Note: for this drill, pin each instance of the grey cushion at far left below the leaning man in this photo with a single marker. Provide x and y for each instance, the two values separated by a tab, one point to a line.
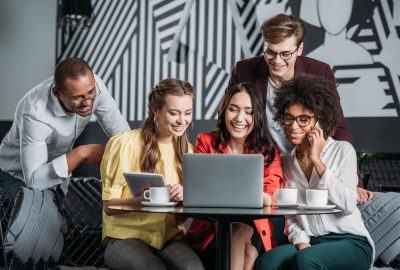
35	227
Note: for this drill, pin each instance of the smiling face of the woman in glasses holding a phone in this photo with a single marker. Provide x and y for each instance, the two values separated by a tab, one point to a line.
294	132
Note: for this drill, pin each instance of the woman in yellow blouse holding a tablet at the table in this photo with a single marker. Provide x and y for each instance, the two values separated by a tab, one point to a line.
144	240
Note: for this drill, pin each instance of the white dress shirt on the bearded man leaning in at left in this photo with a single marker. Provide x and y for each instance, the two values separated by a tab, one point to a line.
34	150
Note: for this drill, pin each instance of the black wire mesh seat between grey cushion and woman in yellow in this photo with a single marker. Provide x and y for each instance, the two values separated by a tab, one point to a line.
82	209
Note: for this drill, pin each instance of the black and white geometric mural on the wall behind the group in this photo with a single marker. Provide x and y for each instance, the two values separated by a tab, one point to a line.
133	44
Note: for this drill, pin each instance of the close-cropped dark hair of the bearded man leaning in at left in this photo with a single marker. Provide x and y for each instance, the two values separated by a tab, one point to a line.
70	68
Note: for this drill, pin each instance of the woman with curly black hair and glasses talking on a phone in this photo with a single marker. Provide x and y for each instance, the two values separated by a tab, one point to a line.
307	108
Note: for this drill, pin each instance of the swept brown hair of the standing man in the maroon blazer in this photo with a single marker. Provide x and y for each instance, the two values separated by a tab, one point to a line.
282	27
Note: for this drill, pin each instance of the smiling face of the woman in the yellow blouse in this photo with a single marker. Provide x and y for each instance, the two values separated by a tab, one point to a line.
174	117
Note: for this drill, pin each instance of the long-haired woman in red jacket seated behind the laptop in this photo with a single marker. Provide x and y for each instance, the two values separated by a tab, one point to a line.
241	129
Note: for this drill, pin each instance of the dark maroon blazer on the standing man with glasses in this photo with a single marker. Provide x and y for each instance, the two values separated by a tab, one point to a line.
255	70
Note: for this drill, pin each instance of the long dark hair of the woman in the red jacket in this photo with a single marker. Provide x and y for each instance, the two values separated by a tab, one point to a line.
259	140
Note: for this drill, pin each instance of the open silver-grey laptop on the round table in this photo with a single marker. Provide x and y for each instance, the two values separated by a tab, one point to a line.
218	180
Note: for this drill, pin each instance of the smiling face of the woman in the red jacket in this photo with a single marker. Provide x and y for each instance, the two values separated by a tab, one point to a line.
239	119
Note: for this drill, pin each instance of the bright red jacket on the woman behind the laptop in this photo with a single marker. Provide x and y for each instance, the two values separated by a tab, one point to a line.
201	232
